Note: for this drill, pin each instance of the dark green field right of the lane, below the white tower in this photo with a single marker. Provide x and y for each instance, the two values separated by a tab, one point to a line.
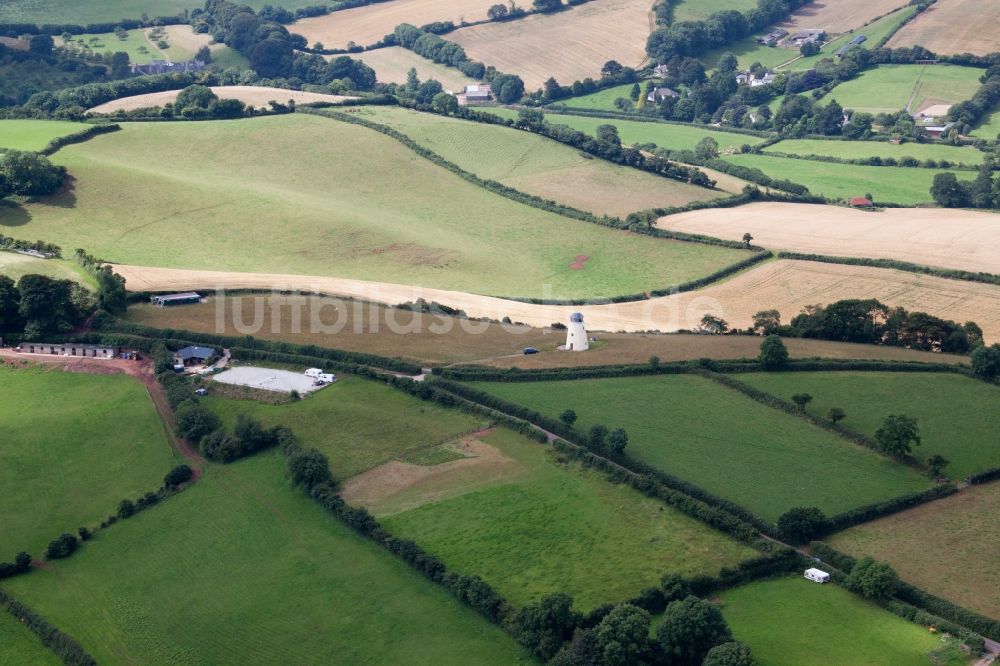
733	447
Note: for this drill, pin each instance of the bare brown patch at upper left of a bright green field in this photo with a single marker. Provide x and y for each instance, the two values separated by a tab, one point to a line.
398	486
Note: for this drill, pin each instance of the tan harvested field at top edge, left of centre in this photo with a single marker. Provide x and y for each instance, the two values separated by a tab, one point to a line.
367	25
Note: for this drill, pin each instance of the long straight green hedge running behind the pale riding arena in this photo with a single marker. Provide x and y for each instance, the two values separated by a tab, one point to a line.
258	345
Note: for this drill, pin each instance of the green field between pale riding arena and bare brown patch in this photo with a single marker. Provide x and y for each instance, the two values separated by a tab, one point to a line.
357	423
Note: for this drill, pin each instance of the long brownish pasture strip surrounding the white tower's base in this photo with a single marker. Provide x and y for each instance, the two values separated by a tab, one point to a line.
439	339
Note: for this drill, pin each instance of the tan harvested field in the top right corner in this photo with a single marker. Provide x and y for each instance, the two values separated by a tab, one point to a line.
953	26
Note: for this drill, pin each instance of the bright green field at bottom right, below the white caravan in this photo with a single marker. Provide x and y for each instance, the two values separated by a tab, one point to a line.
792	621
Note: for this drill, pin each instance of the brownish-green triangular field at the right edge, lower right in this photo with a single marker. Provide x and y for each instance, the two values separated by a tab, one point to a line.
947	547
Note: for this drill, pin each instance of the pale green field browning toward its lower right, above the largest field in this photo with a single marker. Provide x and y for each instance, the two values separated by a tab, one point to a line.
540	166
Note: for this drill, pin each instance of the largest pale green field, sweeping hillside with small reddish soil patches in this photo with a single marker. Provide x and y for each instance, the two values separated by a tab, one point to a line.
312	196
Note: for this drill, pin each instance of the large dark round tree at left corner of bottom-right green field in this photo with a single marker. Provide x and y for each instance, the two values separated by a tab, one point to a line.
690	628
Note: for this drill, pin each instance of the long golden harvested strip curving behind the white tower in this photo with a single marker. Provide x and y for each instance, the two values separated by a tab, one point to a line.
784	285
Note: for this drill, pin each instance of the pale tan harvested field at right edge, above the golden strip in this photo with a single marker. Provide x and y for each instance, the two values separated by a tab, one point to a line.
959	239
